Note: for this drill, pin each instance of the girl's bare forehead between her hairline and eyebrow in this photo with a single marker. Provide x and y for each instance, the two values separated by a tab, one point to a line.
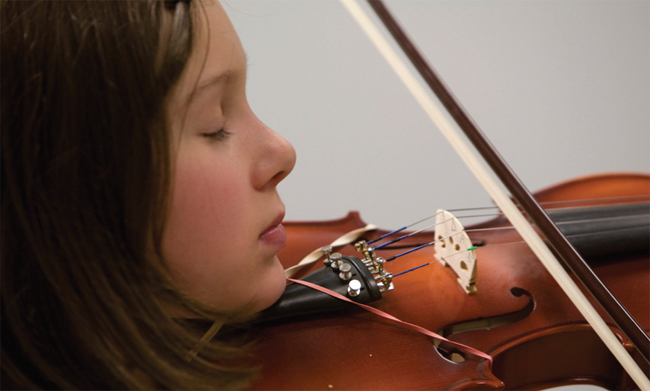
216	53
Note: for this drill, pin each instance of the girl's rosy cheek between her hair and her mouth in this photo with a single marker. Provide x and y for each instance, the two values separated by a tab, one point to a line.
207	206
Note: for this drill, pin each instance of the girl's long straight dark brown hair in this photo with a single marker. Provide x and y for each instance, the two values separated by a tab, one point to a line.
85	183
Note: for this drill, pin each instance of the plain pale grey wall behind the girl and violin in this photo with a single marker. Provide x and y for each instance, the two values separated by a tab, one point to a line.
561	88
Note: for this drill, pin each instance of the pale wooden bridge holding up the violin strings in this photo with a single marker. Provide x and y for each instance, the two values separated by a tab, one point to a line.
454	249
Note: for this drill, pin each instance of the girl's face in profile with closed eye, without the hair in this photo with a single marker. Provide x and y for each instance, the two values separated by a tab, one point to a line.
223	231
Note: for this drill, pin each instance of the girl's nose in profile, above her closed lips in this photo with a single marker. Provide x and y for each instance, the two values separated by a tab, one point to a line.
277	160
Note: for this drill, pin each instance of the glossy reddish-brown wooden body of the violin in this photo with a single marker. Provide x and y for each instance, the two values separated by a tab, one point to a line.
519	315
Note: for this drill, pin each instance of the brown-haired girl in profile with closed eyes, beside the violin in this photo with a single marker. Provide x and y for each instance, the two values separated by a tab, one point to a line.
138	189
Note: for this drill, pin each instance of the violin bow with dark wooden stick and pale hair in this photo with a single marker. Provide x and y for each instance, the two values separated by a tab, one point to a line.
571	258
